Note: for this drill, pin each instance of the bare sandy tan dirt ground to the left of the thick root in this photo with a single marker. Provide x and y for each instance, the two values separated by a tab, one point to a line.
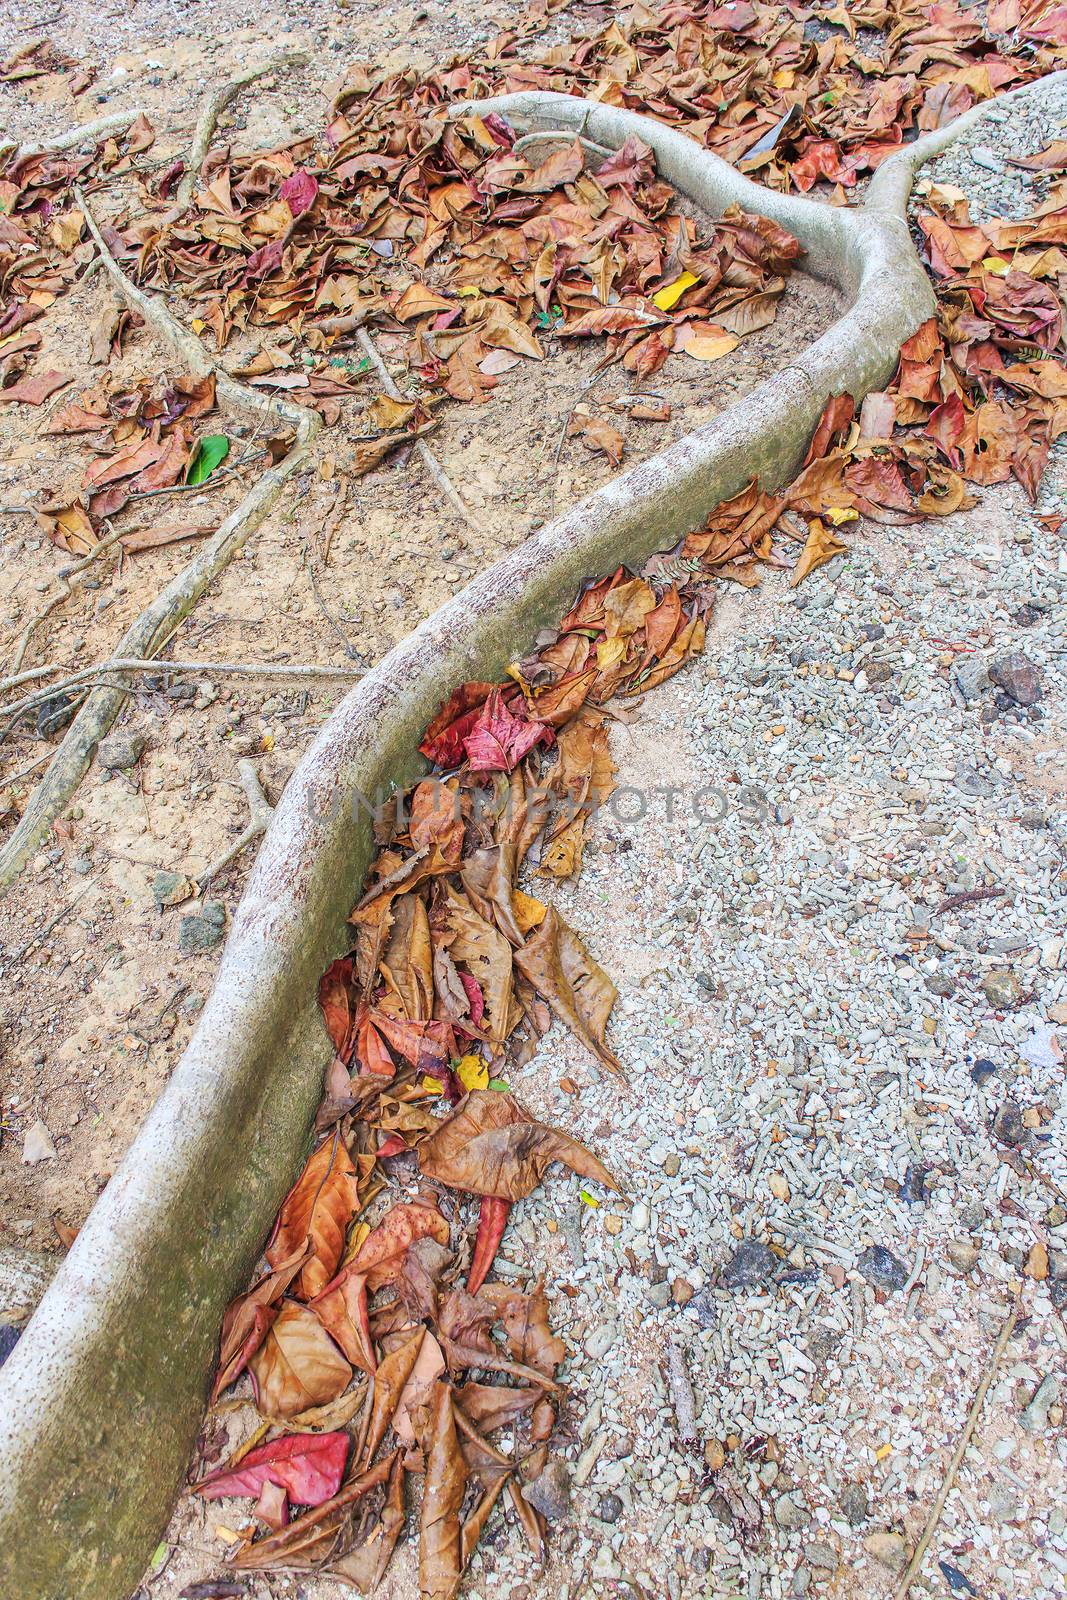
98	1002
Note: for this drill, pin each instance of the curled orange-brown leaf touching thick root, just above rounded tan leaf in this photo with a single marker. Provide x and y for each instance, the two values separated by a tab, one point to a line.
318	1212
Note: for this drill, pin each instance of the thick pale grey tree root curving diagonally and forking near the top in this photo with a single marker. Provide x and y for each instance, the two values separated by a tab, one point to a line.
103	1396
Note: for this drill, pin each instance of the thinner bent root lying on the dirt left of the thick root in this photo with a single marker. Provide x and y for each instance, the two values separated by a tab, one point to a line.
162	618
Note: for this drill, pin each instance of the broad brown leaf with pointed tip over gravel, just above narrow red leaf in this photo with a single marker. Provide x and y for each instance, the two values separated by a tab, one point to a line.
492	1146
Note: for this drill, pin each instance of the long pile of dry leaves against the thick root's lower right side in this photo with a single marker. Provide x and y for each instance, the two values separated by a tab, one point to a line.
455	972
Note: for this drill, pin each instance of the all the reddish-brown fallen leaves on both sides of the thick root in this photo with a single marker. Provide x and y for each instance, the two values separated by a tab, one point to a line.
378	1346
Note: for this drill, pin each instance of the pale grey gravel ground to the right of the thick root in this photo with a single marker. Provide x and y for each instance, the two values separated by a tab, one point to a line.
852	1052
